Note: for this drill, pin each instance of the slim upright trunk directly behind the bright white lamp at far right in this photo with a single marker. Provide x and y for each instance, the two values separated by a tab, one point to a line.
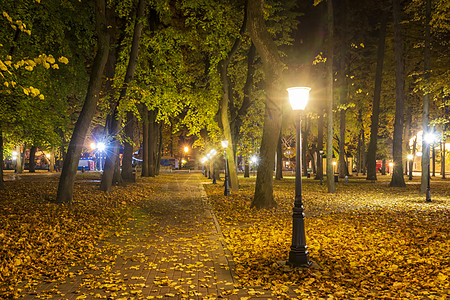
426	101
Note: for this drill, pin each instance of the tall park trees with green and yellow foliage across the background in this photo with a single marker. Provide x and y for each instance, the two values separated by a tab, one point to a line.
139	71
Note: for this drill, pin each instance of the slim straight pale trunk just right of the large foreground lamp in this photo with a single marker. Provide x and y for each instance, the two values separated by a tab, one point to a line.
330	81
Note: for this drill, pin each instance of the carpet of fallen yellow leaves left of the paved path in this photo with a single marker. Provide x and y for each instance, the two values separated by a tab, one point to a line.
40	241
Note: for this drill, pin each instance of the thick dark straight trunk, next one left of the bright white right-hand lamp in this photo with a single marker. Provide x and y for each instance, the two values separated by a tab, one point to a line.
397	179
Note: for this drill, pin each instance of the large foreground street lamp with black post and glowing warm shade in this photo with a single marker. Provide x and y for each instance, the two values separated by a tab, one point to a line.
299	254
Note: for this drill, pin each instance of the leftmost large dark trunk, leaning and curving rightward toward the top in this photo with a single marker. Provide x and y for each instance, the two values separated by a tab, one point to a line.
67	179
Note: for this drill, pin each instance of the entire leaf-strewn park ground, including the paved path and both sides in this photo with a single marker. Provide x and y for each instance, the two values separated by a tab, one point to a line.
369	240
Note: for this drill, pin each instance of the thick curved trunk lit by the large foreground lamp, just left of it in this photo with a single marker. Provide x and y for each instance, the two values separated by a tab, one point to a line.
273	69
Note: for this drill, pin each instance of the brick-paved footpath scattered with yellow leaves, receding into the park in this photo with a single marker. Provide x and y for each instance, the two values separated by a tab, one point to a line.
172	249
